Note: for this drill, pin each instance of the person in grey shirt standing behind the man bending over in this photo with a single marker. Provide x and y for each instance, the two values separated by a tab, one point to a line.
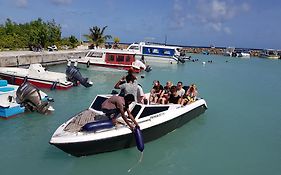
129	87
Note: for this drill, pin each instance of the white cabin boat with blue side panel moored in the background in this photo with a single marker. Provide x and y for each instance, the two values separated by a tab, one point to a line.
157	52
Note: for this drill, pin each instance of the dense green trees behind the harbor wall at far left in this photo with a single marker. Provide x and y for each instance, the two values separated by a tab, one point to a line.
36	33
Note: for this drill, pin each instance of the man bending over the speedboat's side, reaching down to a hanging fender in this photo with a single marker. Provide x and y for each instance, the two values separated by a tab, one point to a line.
116	105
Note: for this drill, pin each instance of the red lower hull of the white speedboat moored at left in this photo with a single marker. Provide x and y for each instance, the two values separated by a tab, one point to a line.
18	80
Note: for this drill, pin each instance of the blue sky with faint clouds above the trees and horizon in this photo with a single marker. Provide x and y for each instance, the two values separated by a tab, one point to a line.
222	23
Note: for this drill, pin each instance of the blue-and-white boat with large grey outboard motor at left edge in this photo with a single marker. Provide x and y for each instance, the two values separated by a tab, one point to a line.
17	99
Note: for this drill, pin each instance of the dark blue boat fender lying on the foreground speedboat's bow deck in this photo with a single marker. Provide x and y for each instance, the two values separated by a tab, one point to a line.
97	125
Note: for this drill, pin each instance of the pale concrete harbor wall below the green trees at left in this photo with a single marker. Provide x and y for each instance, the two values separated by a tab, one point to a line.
45	58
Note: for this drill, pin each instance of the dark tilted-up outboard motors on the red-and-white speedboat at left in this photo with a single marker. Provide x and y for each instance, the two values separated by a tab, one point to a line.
74	75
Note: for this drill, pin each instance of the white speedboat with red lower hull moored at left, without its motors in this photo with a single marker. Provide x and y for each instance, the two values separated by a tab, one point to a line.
36	75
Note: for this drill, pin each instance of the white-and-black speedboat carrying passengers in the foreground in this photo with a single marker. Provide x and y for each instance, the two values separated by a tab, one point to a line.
154	120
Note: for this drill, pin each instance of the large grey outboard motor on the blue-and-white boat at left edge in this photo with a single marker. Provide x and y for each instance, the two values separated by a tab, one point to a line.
29	96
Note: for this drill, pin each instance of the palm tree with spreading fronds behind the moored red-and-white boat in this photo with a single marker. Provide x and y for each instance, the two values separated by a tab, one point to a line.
96	36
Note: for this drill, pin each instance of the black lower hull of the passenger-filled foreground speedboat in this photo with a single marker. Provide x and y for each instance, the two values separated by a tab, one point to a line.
128	140
